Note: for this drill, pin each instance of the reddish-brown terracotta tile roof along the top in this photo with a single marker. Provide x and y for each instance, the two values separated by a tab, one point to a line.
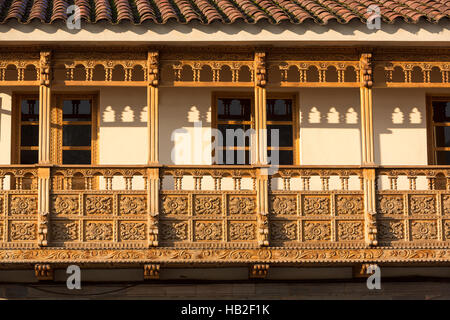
224	11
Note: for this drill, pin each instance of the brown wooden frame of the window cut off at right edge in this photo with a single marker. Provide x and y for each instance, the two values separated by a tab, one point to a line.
431	137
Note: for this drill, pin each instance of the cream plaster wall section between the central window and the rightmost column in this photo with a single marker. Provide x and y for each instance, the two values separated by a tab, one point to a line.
330	126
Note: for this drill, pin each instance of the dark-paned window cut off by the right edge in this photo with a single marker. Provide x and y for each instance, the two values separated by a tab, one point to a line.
439	130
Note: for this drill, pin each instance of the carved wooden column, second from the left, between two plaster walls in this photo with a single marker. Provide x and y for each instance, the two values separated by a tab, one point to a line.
153	147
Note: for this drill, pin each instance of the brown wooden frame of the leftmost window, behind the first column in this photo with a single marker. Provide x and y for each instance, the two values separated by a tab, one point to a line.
56	125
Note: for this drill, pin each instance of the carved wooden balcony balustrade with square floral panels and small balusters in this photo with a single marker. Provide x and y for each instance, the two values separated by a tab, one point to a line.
224	214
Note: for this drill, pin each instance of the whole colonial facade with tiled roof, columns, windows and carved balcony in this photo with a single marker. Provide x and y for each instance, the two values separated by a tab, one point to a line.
109	141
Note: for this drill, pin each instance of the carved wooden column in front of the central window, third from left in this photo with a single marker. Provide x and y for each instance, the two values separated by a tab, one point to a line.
259	153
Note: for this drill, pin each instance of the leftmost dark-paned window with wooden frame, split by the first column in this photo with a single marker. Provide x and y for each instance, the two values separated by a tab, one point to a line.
73	129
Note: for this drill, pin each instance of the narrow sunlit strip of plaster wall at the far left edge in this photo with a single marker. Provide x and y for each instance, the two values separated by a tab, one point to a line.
5	126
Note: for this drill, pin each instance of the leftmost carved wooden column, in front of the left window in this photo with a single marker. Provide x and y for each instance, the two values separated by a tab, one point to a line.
44	147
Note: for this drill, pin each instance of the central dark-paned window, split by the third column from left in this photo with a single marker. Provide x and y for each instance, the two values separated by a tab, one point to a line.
234	116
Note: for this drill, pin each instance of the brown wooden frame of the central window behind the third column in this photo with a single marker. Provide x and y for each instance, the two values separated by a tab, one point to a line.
250	95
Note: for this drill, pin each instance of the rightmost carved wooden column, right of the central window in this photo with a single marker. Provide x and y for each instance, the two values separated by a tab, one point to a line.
369	174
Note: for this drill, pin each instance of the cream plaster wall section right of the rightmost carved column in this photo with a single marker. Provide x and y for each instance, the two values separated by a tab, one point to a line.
400	125
